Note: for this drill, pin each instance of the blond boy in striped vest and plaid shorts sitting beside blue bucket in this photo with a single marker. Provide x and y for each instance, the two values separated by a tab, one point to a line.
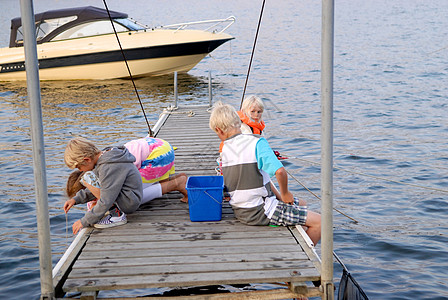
248	162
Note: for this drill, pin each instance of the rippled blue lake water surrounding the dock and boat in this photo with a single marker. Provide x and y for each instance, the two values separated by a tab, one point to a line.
390	128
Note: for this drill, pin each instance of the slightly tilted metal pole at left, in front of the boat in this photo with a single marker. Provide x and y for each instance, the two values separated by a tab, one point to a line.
37	137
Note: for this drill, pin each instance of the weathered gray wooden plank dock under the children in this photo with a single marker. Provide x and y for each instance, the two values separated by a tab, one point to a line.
161	248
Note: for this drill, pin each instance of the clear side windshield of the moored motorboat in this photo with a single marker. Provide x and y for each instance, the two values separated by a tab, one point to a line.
90	29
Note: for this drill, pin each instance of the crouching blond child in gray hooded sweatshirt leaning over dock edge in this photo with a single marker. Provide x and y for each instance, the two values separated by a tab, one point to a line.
120	183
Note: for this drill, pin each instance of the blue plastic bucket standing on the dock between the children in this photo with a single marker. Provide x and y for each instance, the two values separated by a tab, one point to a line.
205	197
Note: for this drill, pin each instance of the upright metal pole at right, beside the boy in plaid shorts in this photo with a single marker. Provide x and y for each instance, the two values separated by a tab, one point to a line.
327	148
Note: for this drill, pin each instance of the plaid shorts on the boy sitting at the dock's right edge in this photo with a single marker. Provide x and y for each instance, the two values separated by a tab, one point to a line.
289	214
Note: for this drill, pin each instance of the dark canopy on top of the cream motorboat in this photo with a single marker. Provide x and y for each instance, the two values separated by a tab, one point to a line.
51	23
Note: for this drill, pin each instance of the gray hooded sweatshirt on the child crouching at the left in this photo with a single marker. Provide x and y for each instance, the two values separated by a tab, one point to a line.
120	181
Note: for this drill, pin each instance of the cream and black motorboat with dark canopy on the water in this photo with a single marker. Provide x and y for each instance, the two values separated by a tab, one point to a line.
81	44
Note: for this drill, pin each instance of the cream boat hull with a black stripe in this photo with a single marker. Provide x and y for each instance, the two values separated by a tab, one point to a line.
147	54
